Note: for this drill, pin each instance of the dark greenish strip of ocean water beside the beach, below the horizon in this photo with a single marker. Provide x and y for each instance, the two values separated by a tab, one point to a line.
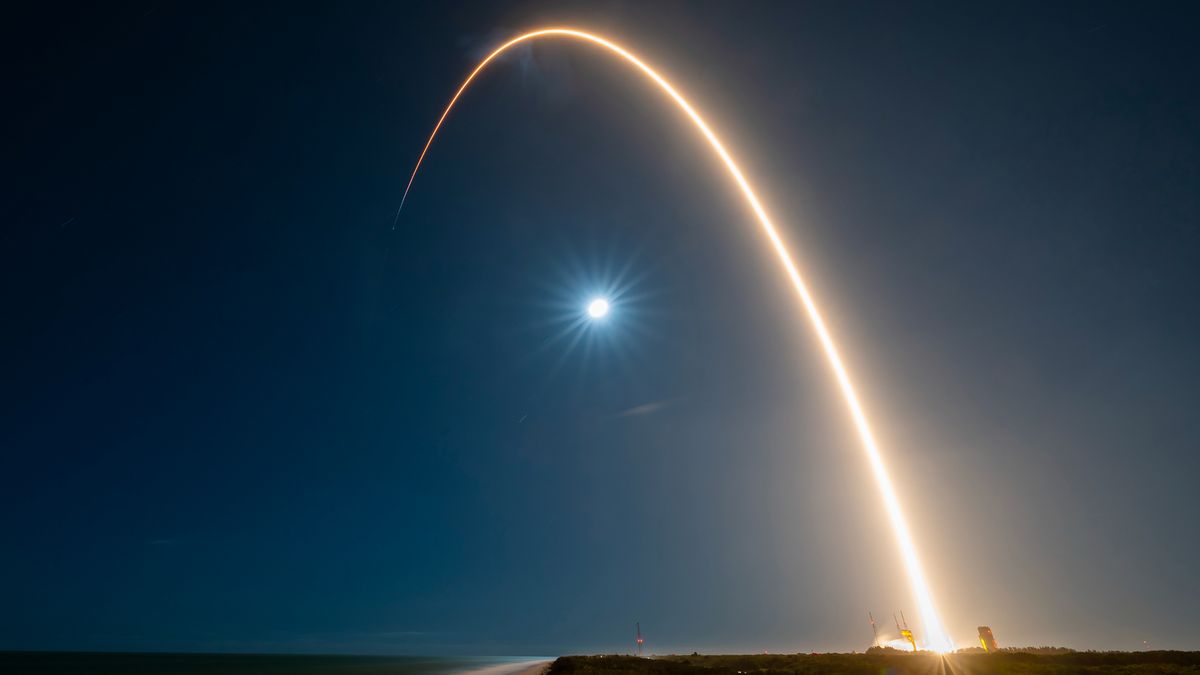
110	664
